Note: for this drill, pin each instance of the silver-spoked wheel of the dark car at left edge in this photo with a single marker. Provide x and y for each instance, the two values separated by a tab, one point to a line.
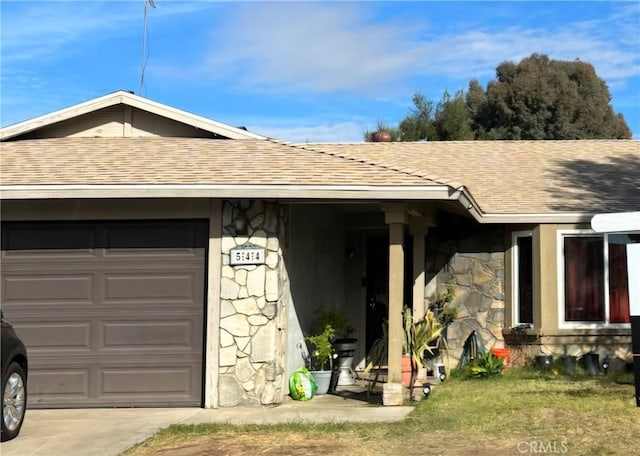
14	400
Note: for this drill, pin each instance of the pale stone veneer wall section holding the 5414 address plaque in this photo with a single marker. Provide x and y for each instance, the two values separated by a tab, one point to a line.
254	300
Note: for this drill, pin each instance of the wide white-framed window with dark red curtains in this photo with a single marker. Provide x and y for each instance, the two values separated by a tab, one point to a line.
593	287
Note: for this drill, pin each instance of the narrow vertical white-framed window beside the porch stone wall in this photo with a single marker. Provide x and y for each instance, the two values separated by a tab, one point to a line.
522	277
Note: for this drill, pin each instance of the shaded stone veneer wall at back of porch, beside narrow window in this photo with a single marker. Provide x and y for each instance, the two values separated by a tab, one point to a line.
469	257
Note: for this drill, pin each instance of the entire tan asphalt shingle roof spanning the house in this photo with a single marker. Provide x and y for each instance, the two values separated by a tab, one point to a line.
502	176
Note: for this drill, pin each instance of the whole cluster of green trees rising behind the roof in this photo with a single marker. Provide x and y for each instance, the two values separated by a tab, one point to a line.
537	98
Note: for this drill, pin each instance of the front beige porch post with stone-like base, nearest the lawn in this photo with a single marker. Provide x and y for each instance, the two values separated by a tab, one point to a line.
396	219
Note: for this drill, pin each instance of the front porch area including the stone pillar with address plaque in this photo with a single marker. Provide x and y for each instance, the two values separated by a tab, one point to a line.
367	260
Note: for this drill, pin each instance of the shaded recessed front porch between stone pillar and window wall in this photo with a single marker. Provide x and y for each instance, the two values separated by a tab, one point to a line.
374	259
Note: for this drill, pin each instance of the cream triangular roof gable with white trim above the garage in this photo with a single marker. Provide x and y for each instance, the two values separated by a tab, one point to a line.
122	114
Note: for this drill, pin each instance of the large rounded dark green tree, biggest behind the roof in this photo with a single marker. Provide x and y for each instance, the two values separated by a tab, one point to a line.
541	98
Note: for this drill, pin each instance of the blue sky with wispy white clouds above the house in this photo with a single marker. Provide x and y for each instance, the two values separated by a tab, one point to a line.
300	71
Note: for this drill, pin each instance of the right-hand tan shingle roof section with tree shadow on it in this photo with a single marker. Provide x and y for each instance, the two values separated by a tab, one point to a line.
519	176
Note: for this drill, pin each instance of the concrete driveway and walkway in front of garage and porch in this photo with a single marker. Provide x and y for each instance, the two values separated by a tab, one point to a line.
108	432
